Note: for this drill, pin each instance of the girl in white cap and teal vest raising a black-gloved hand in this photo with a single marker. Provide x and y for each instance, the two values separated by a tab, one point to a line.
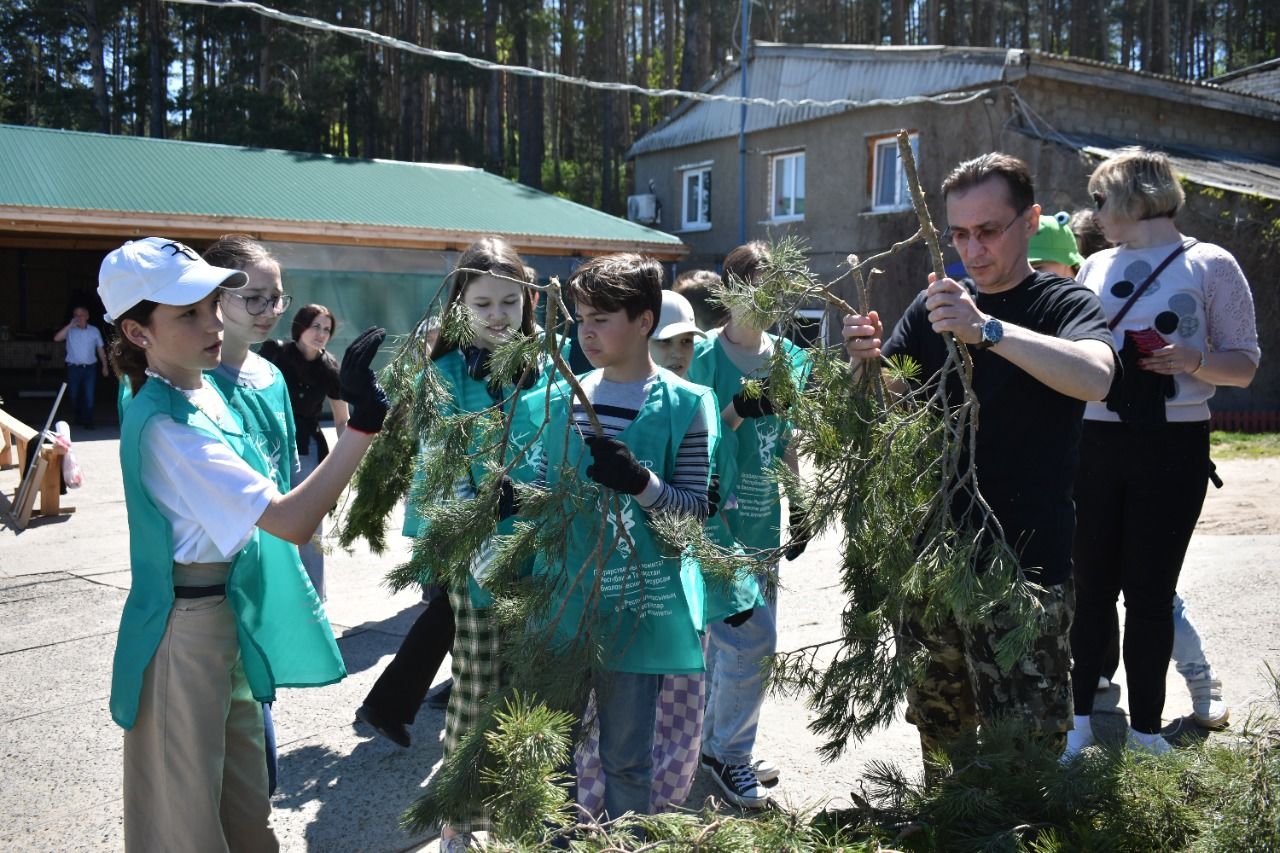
220	612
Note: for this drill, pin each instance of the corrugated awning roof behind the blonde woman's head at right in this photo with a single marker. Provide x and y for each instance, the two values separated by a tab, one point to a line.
1214	168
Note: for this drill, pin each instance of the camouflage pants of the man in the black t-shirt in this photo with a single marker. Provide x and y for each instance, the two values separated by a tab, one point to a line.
963	687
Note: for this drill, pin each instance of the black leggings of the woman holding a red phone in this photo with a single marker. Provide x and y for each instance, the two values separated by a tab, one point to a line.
1139	496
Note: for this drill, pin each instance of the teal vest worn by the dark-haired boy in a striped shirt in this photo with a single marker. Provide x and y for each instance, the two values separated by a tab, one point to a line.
651	627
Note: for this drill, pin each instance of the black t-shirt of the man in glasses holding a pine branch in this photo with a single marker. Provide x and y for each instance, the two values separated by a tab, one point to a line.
1028	435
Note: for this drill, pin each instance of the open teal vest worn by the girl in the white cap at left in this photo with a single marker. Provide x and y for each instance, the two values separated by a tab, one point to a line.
285	636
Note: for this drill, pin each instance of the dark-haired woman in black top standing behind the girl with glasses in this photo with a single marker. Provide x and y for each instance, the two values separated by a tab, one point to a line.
312	373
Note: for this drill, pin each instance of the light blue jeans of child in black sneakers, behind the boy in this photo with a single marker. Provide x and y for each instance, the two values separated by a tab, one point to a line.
737	683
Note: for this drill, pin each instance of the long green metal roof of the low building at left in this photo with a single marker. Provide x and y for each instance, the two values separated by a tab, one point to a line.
65	170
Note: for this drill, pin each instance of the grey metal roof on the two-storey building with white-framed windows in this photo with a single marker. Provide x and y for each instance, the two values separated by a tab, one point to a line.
824	72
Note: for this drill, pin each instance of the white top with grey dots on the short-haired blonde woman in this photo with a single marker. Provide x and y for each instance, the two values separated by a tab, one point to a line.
1201	300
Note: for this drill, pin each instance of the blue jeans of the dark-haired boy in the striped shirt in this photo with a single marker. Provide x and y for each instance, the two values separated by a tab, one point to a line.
628	706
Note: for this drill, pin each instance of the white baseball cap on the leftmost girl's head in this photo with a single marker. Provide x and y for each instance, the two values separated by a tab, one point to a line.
161	271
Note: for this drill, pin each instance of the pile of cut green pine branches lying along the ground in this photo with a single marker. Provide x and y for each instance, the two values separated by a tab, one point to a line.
996	793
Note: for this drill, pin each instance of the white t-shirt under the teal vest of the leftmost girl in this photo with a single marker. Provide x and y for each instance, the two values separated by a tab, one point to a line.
211	496
